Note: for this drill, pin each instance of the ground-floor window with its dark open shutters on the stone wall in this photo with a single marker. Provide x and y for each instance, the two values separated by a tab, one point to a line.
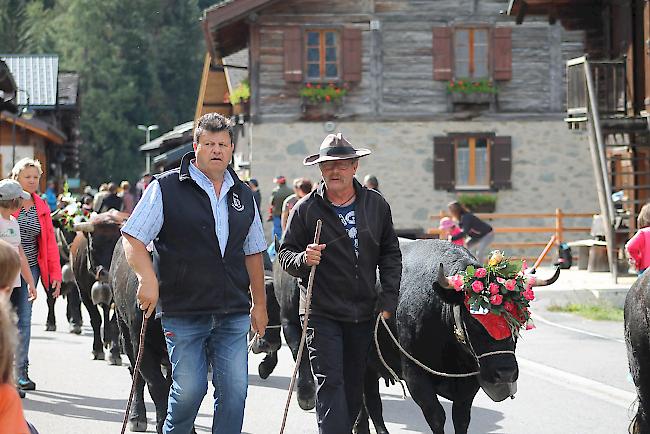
466	161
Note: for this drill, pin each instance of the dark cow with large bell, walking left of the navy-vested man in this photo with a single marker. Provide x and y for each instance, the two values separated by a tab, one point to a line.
92	251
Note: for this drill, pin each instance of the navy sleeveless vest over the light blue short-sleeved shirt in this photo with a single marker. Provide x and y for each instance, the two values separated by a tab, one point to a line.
193	275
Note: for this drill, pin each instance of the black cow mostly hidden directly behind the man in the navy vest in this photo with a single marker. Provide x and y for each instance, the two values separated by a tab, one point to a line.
124	285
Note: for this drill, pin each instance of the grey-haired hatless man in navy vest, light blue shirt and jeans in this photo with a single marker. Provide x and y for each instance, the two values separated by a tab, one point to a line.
208	238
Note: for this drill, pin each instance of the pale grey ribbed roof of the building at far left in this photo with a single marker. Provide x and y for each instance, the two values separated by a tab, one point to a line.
37	75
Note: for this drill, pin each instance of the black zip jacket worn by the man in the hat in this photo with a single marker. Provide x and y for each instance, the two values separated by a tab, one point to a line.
344	285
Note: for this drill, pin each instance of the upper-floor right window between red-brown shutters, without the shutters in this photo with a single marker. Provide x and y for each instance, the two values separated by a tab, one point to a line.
471	53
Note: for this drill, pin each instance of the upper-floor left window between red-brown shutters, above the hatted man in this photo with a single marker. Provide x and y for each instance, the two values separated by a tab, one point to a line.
322	55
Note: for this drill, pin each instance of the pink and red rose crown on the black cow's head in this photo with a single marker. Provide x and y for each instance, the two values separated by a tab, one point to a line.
500	288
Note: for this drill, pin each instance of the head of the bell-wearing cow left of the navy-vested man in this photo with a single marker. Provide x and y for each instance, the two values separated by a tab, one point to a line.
102	232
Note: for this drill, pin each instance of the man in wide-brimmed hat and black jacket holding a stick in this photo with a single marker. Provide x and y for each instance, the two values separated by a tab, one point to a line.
357	237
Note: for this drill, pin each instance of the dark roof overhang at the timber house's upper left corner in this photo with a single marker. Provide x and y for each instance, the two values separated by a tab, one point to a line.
225	25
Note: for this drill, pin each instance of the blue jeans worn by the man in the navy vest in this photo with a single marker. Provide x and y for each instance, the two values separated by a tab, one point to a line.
193	341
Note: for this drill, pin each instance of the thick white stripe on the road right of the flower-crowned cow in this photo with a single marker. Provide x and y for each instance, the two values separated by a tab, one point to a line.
605	392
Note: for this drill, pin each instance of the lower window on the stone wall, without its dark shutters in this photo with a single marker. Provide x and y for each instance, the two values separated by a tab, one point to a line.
472	162
